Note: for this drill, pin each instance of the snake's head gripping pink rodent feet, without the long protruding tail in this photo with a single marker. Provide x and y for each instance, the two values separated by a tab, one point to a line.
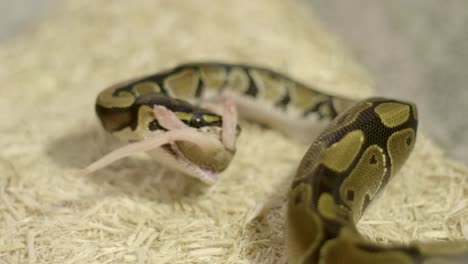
206	146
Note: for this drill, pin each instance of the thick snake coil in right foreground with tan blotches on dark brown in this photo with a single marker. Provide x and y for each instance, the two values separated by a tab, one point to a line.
344	169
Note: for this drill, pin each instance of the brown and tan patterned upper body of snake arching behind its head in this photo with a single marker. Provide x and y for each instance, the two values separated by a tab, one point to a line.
120	106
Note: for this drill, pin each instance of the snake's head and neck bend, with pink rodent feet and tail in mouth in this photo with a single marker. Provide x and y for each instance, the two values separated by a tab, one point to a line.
182	136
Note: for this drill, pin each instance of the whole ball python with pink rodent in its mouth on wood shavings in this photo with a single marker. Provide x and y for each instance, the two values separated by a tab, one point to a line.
186	118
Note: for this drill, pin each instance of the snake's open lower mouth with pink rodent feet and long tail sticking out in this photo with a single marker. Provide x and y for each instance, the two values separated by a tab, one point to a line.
200	153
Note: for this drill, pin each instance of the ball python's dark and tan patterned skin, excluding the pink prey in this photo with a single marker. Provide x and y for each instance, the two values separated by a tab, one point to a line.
341	173
